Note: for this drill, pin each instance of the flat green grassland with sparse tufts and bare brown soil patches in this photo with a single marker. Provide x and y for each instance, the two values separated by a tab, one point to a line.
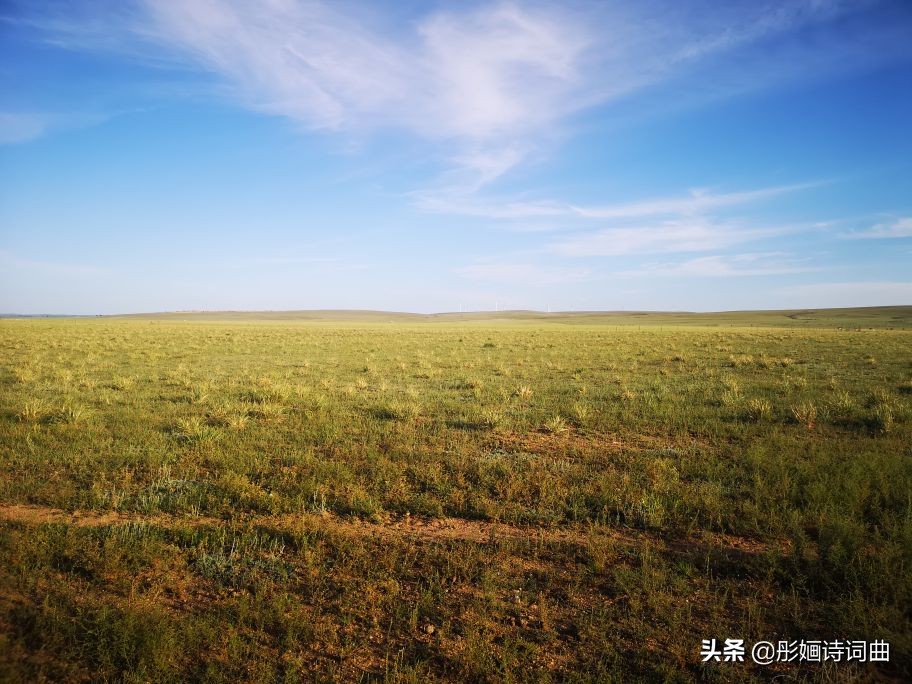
395	498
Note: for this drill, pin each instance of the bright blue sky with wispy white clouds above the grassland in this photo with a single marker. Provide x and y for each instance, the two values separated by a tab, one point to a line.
174	155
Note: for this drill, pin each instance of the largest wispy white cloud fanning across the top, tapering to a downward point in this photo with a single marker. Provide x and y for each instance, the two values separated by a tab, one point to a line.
487	82
